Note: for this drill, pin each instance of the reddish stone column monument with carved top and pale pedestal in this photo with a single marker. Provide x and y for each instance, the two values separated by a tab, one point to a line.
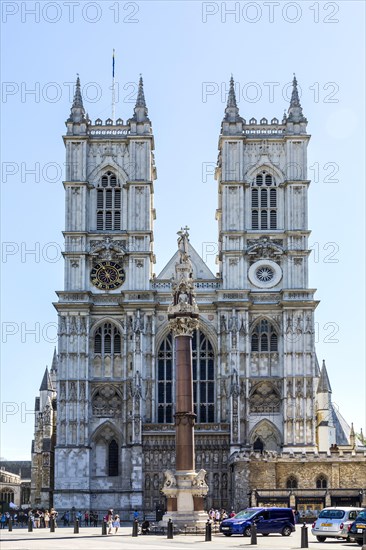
184	488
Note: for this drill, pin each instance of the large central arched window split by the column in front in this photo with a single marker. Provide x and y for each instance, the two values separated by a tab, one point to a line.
203	379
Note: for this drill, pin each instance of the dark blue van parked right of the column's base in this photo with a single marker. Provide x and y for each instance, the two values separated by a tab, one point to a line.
267	520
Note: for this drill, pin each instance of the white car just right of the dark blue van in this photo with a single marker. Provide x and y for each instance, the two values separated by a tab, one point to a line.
333	522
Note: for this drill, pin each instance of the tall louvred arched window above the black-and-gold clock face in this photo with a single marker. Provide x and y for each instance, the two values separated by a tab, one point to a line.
108	203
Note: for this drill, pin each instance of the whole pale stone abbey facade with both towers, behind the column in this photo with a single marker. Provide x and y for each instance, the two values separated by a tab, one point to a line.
255	372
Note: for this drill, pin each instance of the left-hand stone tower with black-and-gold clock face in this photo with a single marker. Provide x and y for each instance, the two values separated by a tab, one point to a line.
106	322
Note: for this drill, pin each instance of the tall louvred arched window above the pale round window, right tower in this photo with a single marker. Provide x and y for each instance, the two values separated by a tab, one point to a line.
264	202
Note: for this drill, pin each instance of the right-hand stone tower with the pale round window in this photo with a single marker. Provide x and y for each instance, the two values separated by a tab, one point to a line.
266	307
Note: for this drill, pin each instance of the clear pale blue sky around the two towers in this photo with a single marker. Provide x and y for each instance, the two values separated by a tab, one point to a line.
186	52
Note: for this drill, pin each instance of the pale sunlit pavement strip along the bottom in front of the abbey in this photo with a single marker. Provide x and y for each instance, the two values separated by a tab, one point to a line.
90	538
